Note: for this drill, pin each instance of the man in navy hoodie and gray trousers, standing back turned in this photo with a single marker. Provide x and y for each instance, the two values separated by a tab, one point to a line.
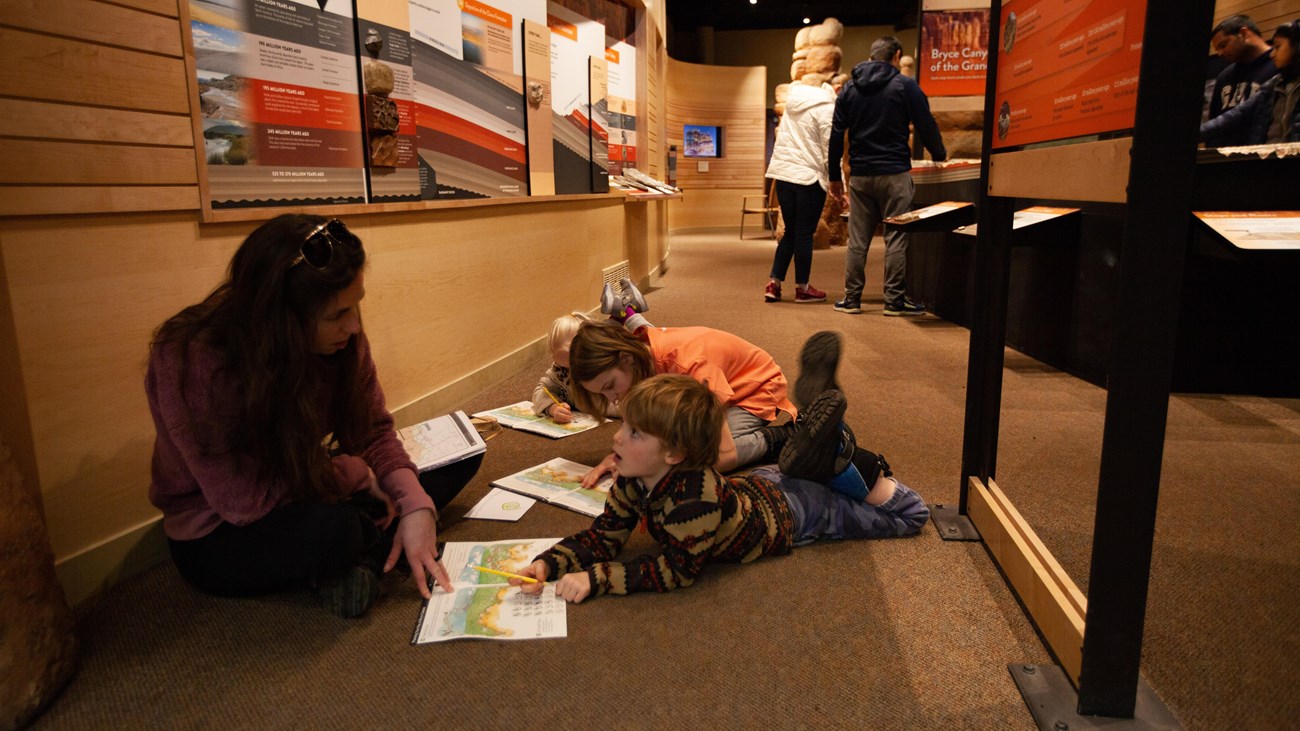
877	109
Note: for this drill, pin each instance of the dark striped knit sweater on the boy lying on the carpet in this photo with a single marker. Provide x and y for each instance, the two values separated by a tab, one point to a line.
697	517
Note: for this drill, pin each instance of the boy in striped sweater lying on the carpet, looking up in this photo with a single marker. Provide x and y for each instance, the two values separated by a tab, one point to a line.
665	451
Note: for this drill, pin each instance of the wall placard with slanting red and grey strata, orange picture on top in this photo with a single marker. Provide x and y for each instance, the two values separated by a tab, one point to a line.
470	96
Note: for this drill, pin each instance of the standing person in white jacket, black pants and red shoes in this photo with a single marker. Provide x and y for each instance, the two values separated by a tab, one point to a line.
799	168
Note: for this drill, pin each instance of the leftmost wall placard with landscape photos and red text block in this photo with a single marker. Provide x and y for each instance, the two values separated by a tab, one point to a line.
279	102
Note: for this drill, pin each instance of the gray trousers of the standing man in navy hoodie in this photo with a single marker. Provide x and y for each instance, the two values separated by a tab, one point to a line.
873	198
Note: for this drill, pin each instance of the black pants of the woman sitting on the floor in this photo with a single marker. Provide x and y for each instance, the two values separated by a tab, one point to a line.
301	543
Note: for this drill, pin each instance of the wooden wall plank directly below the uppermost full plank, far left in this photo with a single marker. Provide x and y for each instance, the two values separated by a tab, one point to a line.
59	70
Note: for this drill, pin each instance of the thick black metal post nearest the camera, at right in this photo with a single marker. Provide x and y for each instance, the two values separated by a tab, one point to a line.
1142	351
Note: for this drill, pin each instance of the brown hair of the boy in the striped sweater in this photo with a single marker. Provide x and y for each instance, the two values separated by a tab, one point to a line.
682	413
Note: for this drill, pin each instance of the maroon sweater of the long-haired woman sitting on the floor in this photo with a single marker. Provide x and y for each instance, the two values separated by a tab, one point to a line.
197	488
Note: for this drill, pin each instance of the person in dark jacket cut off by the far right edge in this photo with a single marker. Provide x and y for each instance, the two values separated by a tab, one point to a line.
1272	114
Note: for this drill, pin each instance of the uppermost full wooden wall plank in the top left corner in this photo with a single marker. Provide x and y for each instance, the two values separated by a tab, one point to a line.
97	23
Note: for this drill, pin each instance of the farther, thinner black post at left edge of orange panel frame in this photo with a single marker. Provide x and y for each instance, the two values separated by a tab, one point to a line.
989	310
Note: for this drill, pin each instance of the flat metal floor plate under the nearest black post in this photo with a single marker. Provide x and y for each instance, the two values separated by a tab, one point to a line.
1054	703
